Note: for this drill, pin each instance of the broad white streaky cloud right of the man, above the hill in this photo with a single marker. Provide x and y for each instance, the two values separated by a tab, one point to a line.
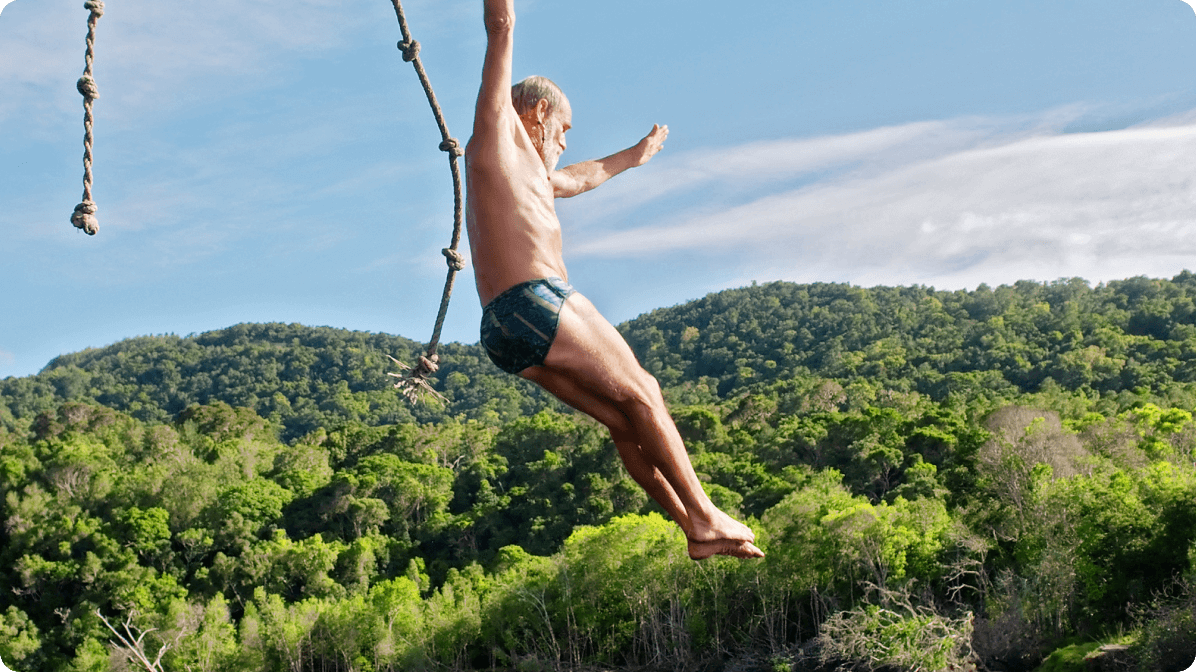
948	204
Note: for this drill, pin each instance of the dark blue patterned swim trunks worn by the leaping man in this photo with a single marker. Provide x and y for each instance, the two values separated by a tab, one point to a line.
518	327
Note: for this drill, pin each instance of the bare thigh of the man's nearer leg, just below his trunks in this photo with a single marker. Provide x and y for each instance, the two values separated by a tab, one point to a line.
589	350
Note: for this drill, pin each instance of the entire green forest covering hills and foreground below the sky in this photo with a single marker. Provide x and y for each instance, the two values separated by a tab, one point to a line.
939	479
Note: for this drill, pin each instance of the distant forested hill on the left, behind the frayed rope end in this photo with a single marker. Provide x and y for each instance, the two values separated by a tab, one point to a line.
298	377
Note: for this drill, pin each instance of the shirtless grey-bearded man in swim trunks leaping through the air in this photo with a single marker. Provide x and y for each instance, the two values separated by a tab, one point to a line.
534	325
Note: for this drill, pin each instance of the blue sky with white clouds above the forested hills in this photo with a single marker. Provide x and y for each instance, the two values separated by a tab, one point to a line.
276	161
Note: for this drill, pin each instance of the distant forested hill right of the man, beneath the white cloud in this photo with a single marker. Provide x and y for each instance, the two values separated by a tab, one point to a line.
1138	334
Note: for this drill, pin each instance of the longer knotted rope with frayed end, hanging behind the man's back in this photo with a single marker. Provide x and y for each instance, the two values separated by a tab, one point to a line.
416	380
